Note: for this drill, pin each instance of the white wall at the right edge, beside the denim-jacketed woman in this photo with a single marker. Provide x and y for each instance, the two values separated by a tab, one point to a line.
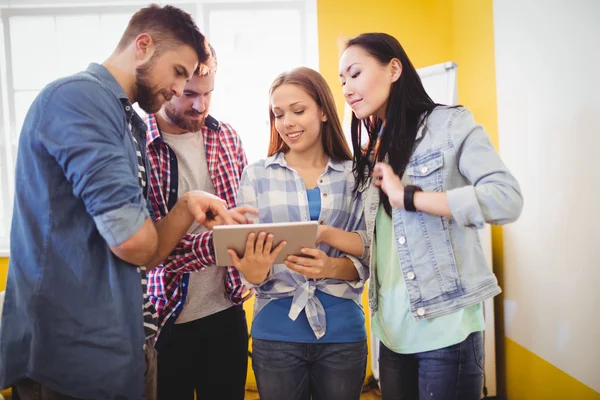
548	82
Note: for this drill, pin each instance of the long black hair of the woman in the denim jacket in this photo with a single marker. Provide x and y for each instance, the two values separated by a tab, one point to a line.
407	107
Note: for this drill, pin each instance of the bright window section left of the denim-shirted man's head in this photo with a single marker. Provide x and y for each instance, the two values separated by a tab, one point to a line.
31	63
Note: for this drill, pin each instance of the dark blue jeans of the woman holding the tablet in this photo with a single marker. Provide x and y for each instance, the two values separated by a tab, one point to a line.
304	371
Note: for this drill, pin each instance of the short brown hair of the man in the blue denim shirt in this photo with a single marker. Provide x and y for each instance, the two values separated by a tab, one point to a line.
168	26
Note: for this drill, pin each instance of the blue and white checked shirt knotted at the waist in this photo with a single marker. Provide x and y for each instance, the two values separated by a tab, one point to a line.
279	193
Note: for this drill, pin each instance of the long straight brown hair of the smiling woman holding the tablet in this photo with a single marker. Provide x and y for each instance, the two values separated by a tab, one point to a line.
332	136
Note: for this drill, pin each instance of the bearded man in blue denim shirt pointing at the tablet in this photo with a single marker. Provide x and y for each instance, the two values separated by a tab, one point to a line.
72	324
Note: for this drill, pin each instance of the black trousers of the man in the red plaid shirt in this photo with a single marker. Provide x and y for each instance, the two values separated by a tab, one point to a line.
209	355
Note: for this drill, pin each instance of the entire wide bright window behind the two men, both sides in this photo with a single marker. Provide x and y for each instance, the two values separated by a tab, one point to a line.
254	43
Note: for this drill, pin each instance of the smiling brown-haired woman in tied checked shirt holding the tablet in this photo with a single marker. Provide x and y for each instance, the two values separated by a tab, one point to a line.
308	332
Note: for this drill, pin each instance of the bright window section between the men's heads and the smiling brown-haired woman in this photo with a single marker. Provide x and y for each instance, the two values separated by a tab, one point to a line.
254	44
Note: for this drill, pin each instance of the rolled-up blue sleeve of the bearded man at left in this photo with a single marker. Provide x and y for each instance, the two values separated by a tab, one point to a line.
84	130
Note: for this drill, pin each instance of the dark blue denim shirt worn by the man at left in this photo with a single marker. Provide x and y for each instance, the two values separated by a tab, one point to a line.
72	317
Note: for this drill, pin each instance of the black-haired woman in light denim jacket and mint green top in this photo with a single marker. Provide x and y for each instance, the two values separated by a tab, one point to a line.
430	178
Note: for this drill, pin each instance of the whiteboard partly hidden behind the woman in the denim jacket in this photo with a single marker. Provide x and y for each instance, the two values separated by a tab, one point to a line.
440	83
